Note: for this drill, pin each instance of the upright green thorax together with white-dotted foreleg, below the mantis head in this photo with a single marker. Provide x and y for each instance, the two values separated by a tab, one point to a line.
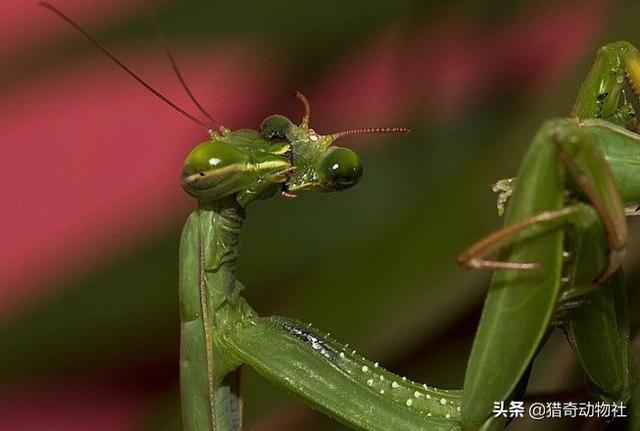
324	373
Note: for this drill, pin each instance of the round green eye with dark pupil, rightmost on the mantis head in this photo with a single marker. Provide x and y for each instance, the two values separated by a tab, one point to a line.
340	169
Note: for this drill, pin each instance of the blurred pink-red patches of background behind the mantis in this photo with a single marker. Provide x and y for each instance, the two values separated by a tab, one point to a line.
74	187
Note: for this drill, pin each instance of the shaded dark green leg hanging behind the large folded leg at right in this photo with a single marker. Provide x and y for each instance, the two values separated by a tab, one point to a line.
597	324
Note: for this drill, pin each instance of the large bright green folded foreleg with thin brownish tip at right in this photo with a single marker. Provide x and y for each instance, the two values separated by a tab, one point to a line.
521	305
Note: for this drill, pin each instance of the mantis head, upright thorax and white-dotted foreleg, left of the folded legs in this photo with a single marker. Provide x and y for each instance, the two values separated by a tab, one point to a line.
220	331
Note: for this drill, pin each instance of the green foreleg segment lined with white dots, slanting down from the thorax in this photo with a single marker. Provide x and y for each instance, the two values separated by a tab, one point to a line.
336	380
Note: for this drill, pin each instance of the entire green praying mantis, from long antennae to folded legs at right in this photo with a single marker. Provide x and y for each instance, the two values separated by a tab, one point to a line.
559	265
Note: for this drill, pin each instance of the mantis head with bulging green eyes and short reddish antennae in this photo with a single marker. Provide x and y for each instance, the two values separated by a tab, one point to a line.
278	156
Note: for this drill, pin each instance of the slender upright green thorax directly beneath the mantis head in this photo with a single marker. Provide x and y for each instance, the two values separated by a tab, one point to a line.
209	386
